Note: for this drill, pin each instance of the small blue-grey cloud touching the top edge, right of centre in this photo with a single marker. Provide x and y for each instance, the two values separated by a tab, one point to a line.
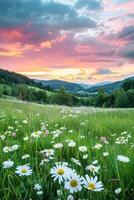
89	4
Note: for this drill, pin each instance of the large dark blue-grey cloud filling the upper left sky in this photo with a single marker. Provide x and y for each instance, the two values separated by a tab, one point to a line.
18	13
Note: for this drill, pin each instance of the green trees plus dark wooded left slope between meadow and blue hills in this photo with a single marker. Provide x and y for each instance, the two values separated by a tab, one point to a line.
23	88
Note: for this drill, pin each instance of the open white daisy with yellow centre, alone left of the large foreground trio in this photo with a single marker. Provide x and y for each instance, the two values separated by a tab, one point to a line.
23	170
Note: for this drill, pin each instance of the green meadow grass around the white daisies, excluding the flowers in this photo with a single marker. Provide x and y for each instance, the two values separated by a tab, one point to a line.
92	123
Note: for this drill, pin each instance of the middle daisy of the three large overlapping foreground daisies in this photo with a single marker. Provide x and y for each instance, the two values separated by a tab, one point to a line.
74	184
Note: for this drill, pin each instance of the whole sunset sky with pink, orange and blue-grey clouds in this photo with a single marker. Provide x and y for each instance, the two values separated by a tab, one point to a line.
86	41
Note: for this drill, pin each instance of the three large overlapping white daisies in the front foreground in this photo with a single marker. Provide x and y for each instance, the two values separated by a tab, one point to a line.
72	181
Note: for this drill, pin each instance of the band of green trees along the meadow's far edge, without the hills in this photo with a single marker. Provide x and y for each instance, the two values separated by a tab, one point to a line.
123	98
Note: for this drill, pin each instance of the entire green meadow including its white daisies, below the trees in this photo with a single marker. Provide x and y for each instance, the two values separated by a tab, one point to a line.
70	145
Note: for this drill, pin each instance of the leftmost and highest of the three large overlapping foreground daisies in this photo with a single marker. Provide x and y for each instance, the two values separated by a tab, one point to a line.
60	172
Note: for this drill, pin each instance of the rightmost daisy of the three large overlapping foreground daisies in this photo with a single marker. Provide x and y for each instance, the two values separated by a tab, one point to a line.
92	184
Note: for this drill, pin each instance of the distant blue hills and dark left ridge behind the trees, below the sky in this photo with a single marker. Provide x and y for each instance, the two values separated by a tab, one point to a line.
7	77
